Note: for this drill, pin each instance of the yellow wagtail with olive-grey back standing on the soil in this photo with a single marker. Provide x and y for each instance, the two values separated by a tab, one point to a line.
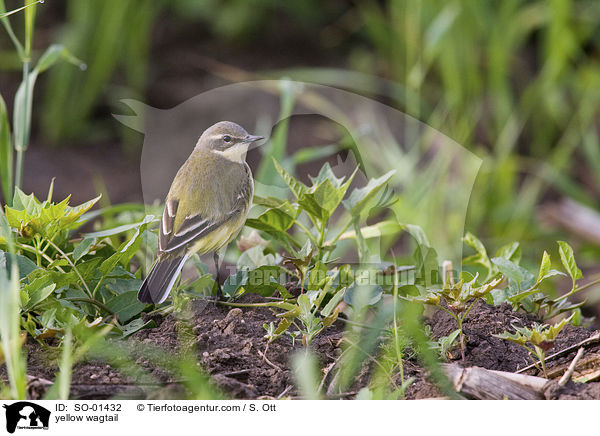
206	206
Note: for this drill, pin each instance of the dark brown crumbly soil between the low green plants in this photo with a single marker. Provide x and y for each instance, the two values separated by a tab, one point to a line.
229	344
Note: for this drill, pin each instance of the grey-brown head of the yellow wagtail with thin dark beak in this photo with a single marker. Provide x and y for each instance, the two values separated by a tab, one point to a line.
228	139
